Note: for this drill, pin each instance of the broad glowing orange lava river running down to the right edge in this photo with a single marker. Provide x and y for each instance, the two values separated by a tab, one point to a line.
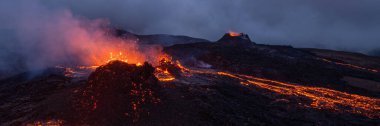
321	98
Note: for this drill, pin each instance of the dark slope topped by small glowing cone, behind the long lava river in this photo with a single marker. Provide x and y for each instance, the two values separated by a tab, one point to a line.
283	63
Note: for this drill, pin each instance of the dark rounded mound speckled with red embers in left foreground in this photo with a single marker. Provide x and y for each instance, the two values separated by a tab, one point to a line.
123	92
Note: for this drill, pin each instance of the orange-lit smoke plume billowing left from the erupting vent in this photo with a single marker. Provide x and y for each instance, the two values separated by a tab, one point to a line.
45	38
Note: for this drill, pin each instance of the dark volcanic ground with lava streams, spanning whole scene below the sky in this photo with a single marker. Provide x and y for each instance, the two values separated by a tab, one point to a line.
232	81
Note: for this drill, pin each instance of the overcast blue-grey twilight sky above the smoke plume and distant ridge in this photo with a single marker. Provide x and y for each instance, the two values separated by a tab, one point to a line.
336	24
